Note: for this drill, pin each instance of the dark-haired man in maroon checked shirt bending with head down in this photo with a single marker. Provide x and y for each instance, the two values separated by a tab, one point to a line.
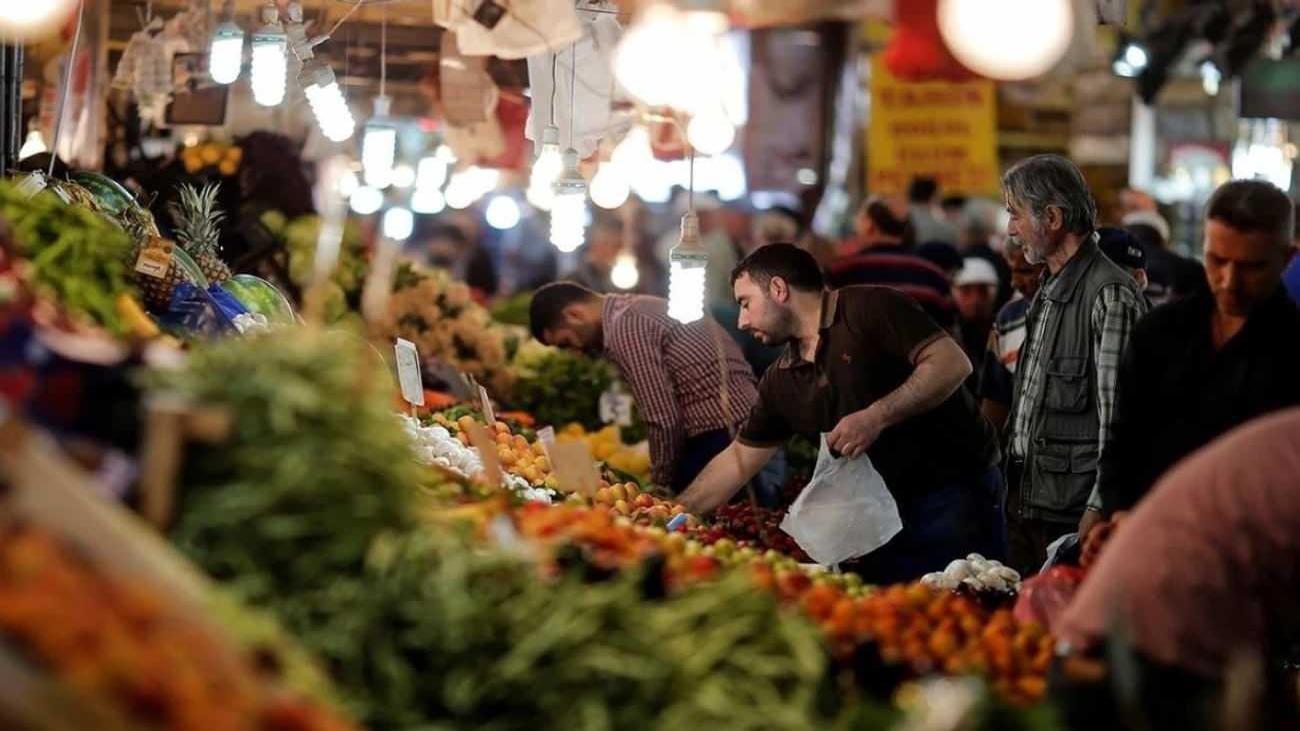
691	382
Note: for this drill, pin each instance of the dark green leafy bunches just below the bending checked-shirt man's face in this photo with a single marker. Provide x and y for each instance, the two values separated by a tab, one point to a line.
558	387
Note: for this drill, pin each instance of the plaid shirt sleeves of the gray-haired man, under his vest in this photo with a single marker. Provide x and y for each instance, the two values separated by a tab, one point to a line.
1115	313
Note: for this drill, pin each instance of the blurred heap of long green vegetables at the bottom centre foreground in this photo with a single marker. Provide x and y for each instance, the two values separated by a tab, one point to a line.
458	638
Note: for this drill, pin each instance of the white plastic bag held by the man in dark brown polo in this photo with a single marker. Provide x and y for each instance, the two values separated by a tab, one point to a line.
846	511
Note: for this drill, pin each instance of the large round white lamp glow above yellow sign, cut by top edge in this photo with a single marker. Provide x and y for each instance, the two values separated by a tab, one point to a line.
1007	40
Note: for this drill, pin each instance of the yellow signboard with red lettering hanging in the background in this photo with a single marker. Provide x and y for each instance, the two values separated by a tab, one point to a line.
938	129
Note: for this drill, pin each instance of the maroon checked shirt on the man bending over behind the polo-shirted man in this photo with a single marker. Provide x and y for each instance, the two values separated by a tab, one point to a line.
675	375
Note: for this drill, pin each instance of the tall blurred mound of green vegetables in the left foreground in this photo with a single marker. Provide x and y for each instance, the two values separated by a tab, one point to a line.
317	469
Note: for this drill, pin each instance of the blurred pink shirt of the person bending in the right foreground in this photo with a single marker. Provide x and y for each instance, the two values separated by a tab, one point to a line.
1210	564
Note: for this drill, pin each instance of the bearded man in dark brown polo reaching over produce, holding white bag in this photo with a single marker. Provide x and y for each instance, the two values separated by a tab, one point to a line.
869	369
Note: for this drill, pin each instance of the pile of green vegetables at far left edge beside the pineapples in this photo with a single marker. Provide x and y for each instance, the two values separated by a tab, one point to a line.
79	259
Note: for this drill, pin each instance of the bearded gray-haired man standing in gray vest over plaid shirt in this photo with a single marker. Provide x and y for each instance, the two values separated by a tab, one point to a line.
1078	326
